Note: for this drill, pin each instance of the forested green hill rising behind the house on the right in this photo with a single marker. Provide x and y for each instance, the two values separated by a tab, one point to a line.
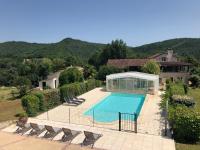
181	46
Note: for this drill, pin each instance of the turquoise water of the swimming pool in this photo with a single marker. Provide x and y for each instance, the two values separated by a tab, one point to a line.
107	110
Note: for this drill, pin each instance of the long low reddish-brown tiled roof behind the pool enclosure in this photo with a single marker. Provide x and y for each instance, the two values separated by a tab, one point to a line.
122	63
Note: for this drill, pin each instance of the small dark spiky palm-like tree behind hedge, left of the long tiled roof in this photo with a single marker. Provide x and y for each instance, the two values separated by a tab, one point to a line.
89	72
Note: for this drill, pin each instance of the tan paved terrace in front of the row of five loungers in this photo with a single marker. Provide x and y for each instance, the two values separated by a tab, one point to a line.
16	142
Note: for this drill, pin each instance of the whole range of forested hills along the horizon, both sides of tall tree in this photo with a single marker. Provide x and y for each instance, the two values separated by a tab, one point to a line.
82	49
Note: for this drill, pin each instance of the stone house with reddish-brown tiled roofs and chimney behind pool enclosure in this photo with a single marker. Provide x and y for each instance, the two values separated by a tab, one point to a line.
170	65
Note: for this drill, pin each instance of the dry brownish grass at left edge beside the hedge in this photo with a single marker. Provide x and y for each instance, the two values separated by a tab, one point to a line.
9	106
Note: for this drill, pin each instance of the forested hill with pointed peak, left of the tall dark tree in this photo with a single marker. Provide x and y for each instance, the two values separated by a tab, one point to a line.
63	48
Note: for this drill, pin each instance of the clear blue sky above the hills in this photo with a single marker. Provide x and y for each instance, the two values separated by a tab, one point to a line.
137	22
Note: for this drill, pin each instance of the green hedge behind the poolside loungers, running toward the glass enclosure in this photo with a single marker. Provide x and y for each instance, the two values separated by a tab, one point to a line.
78	88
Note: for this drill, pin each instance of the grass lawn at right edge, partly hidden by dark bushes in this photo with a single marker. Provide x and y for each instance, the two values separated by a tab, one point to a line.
195	93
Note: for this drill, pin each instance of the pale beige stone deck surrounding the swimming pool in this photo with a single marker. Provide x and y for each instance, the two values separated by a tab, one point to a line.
150	125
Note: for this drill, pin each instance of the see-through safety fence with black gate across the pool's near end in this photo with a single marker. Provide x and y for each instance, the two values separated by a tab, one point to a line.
95	118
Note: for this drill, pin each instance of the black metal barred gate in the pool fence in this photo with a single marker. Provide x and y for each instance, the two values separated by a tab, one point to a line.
128	122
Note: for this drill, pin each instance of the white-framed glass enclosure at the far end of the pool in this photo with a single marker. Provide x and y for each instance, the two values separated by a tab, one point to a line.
132	82
